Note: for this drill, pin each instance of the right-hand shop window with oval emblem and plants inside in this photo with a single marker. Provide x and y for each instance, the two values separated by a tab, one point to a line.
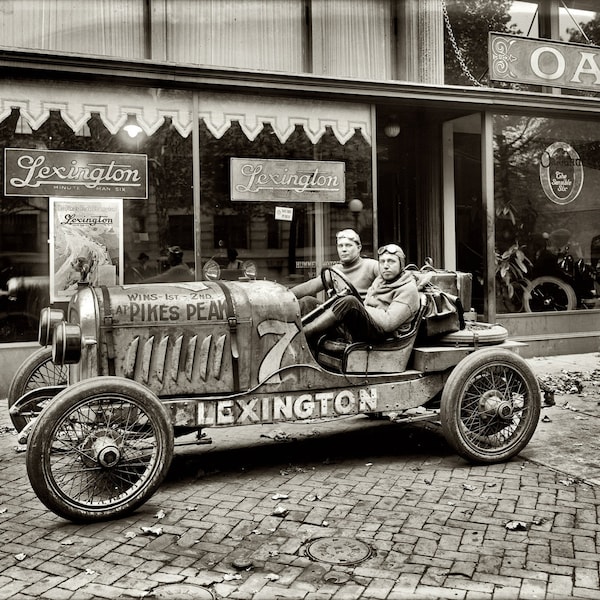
547	181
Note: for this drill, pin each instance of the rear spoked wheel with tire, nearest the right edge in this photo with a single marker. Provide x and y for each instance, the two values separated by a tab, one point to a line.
490	406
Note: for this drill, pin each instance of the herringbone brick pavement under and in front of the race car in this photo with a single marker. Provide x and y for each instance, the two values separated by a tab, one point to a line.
435	524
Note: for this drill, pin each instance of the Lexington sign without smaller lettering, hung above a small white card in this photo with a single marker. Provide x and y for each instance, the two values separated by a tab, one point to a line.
267	180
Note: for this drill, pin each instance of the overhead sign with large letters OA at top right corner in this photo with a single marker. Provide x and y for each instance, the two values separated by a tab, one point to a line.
543	62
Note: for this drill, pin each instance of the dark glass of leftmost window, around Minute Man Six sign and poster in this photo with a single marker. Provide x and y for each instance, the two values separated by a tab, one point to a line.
149	226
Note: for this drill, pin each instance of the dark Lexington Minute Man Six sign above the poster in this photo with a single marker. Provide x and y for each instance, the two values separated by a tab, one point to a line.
30	172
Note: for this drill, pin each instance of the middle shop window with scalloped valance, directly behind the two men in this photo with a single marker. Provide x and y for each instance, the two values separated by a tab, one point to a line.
287	229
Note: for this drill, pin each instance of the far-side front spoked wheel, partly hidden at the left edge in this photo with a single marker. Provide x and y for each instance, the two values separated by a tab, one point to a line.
37	371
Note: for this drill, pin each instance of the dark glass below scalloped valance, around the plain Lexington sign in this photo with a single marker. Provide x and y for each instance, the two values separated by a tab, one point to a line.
282	250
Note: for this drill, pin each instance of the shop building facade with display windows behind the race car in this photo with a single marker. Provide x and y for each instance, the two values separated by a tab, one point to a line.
265	126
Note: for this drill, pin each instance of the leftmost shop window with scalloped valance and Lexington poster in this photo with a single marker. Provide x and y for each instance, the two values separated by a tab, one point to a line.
148	225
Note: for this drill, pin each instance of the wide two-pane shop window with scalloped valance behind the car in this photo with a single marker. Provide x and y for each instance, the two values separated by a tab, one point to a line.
286	238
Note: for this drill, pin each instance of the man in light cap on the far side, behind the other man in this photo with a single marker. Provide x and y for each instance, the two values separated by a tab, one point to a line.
360	272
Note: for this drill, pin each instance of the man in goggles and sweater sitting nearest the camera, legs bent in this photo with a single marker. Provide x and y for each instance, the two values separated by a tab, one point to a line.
391	303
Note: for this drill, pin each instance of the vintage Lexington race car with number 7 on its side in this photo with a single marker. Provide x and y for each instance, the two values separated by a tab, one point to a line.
148	363
